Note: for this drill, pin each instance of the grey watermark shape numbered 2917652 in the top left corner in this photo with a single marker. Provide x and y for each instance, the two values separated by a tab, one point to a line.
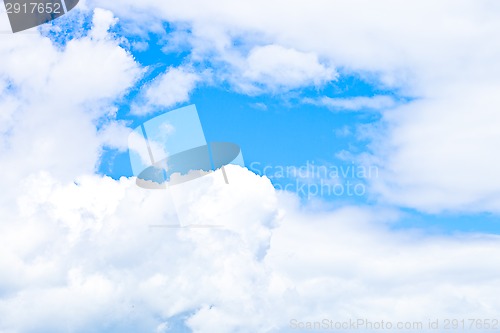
26	14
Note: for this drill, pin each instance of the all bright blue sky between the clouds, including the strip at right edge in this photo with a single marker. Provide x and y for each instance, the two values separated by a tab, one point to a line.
279	130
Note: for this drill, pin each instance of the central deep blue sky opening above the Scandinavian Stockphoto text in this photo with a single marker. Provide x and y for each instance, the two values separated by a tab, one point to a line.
273	129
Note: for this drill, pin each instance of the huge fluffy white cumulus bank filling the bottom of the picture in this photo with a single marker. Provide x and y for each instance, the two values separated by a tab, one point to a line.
101	255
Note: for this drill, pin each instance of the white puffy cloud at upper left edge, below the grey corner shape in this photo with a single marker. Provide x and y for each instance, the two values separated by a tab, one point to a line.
55	98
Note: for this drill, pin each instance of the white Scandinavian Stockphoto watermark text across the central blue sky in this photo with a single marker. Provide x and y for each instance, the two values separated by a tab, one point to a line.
312	179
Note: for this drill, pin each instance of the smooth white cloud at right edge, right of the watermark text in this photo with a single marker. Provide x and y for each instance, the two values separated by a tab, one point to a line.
441	154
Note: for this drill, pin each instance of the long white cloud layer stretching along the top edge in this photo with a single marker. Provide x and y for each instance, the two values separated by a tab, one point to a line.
388	39
